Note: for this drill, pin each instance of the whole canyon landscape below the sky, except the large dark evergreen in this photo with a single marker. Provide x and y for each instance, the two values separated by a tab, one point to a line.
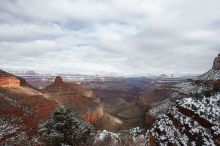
153	110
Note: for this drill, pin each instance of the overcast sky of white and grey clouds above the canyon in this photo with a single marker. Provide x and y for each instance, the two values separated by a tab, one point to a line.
109	36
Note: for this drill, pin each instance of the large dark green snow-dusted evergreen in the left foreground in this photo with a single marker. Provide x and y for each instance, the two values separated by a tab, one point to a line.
63	128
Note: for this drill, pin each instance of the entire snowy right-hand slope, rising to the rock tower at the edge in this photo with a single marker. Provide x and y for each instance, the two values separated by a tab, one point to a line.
195	118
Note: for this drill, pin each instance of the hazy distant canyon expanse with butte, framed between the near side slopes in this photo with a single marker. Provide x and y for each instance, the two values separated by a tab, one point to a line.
115	103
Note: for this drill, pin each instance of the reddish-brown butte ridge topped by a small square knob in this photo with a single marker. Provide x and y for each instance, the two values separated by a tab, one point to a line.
77	98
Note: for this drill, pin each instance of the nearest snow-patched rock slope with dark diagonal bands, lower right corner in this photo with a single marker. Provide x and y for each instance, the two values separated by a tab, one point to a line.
191	122
